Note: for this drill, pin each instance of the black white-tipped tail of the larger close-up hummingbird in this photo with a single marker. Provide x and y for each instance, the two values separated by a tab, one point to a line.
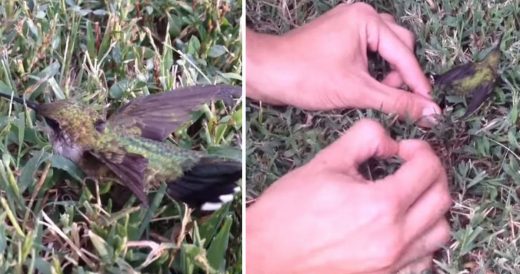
206	182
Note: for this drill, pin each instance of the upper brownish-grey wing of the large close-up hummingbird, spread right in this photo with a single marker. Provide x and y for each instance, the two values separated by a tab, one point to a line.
159	115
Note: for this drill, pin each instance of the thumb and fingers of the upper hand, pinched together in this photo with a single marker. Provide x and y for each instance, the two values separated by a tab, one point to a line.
398	51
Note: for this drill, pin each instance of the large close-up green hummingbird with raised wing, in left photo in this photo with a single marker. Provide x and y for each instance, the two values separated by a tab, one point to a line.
130	145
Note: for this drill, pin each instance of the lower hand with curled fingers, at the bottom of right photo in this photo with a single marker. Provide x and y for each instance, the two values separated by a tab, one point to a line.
324	217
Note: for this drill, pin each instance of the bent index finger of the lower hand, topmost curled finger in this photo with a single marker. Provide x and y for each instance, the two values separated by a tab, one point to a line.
420	171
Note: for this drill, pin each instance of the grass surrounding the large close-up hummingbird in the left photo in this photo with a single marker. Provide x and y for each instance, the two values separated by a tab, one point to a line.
104	53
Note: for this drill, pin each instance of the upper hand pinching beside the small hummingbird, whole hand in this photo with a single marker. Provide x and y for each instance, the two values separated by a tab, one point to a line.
324	65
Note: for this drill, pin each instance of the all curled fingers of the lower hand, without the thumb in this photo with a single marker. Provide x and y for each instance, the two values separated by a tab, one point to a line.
420	190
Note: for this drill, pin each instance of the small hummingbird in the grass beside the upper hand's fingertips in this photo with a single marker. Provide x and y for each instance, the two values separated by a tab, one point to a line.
475	79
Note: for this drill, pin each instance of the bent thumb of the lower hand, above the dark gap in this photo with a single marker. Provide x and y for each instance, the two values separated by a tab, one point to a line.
364	140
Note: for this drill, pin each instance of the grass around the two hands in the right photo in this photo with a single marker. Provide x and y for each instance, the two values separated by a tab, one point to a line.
481	154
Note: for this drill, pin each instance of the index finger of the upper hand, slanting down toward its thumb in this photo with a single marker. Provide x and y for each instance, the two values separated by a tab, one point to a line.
382	39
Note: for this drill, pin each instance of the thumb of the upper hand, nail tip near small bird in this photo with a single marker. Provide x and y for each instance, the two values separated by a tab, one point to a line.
407	105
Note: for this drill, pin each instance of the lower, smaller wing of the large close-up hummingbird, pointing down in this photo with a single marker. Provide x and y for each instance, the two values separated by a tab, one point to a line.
130	171
